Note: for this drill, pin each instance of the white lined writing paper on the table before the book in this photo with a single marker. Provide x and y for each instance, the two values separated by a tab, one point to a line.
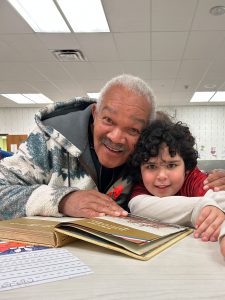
36	267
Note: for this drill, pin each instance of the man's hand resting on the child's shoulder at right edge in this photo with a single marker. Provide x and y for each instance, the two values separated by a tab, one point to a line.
215	180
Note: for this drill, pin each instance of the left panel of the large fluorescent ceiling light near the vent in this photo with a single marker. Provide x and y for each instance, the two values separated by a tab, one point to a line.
41	15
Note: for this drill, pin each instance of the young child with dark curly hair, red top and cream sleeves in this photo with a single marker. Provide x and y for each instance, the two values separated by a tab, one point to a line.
169	186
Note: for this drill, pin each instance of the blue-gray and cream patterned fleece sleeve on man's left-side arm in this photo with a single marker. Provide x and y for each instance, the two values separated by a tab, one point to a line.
25	179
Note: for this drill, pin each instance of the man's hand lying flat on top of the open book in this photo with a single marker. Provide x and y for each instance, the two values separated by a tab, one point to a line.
90	204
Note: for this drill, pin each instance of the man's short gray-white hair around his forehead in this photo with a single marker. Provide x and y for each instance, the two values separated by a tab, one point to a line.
132	83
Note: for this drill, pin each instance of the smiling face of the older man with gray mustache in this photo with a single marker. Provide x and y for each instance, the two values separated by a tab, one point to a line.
118	123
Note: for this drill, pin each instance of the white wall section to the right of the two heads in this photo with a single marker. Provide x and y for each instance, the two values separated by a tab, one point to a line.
207	124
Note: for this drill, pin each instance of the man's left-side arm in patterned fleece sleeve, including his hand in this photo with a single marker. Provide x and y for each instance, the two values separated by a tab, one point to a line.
32	182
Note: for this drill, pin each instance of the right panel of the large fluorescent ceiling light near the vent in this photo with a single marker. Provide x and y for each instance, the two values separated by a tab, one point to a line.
84	15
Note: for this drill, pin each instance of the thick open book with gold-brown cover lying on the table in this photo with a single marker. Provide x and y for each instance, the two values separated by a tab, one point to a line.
135	236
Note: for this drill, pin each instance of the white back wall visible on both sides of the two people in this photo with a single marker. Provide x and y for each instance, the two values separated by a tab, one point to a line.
206	123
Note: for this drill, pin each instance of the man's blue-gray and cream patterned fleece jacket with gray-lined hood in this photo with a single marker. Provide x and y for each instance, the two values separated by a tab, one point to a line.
54	161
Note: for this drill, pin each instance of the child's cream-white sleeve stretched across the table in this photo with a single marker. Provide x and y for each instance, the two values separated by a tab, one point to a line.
175	209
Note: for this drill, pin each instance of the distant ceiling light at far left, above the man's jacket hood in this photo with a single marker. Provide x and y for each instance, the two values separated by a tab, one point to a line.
28	98
